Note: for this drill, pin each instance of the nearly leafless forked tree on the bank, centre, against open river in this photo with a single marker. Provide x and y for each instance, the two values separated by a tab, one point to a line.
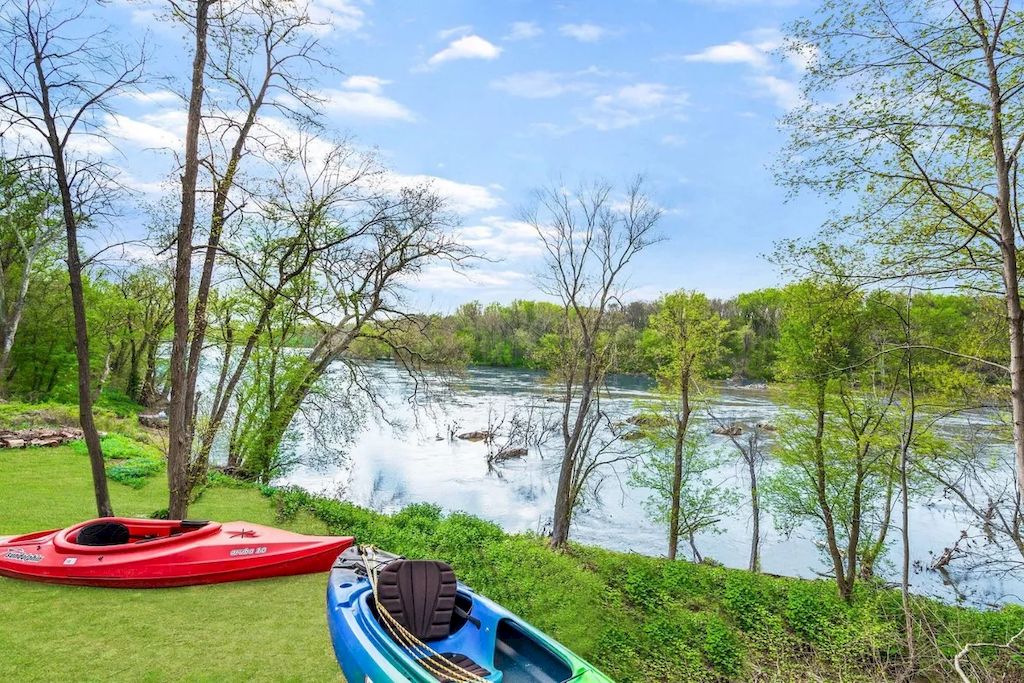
590	238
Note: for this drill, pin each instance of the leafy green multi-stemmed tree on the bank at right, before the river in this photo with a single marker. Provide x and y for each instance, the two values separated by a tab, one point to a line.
836	450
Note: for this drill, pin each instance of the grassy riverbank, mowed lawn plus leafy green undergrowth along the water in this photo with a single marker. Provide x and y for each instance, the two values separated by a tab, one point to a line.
639	619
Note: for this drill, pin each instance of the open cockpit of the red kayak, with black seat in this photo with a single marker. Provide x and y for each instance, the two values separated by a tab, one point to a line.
113	535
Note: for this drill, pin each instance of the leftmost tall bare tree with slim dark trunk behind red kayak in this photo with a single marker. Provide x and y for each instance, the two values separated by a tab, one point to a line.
59	89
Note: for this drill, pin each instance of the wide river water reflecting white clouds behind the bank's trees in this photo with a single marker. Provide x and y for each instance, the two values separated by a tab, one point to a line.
403	454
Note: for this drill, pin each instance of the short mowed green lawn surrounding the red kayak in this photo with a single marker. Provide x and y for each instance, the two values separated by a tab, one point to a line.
266	630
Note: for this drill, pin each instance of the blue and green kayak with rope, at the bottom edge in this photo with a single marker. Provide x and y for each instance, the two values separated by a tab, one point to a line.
424	626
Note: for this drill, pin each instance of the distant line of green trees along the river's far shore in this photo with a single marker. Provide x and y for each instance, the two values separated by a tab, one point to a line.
521	334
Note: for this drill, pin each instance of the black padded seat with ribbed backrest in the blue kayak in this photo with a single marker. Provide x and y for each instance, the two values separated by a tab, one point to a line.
421	596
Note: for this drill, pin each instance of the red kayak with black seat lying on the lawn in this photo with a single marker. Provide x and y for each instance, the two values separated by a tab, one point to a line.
119	552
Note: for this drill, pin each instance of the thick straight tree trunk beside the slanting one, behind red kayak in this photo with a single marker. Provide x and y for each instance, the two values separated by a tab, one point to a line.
181	410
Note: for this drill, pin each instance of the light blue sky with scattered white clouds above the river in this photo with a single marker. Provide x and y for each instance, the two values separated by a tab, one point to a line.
494	100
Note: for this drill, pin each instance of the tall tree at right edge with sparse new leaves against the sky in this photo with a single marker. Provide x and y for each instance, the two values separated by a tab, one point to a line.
917	107
